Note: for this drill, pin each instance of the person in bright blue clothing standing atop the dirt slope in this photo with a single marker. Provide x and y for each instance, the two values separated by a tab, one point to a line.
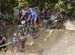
33	16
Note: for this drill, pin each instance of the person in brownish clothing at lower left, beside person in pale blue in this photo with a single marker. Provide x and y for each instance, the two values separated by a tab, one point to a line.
22	39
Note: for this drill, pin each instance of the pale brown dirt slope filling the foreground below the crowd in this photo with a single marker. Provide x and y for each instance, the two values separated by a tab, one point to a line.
49	42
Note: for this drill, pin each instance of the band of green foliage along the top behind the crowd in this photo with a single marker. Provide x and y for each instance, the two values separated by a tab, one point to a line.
67	6
